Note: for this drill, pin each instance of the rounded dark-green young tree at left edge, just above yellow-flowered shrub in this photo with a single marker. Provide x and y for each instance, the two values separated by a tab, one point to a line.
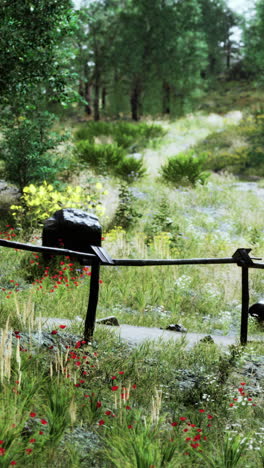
29	150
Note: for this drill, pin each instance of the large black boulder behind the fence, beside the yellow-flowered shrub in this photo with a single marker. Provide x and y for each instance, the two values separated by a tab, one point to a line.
72	229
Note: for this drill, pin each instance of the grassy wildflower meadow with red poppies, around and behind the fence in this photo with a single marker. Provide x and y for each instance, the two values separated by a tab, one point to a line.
161	404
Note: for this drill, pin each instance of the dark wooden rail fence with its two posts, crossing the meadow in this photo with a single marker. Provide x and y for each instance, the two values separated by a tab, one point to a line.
241	258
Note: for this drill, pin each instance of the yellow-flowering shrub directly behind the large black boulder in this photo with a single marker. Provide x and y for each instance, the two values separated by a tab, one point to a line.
38	203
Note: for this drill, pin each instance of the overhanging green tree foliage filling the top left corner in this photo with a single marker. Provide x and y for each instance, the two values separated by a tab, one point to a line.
31	53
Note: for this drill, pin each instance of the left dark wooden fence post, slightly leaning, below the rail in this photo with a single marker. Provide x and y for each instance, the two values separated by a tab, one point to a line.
92	304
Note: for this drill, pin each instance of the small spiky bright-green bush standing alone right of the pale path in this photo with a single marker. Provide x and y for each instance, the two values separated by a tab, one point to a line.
185	169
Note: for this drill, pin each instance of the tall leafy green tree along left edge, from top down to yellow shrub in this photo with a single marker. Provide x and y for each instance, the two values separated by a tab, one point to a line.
33	70
